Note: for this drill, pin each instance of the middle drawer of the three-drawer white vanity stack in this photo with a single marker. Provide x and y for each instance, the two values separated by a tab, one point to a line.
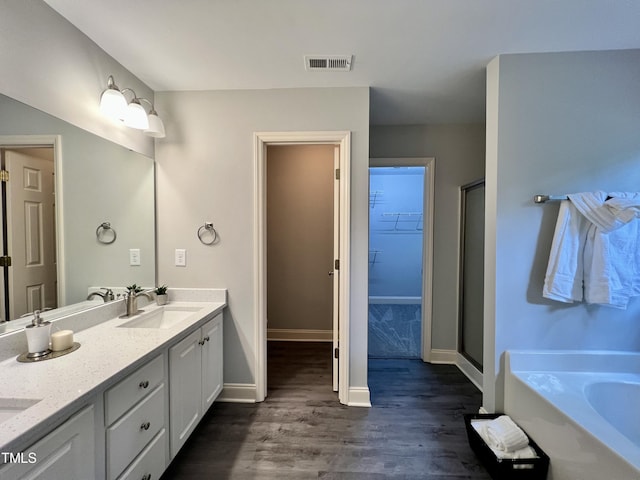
128	436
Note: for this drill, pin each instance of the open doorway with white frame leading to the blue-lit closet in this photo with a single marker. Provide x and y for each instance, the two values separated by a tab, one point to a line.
400	219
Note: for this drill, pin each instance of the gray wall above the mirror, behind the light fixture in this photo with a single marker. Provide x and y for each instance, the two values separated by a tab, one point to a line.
51	65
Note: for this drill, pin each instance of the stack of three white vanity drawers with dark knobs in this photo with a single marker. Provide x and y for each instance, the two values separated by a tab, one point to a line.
135	424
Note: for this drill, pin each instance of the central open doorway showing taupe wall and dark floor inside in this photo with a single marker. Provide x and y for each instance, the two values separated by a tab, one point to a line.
300	233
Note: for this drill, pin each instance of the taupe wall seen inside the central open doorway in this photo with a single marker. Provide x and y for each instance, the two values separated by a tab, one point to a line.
300	183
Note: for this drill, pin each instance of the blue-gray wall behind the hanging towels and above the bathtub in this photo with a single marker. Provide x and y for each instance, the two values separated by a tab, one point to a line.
556	124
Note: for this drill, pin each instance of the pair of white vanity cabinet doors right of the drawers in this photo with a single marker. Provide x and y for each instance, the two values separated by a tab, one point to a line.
195	379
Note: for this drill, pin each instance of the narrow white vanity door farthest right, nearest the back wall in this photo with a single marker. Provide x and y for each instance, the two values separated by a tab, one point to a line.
211	361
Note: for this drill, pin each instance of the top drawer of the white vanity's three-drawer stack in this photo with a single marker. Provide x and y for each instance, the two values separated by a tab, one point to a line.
124	395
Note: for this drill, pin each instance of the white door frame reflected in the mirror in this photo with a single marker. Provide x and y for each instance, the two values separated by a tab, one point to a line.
55	141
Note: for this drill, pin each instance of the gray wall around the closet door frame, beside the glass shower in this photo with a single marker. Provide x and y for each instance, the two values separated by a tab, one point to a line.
459	159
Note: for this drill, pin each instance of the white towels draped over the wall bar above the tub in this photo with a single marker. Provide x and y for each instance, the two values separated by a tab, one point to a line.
595	249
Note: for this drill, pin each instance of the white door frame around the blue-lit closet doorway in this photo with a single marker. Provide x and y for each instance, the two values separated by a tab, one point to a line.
427	240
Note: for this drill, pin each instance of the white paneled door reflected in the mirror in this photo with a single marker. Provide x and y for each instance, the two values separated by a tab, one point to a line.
31	230
